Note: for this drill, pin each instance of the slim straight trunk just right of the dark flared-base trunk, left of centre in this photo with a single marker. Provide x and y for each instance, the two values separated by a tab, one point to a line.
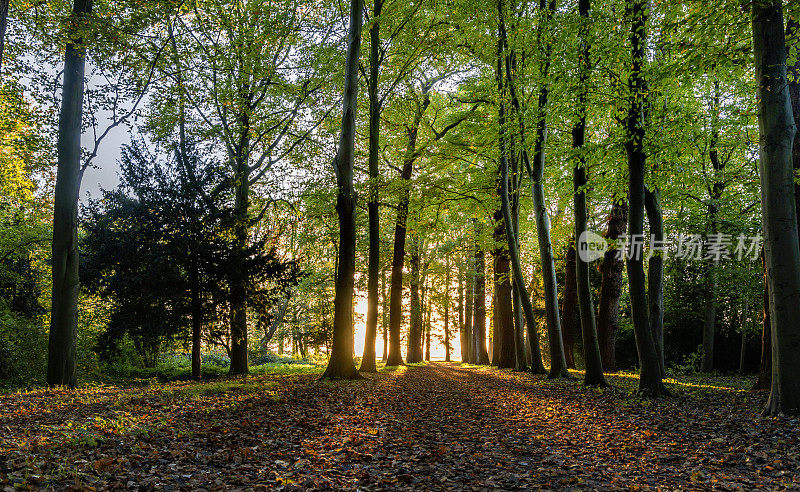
373	267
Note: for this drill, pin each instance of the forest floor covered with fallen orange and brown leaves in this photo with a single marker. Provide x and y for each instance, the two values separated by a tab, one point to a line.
434	426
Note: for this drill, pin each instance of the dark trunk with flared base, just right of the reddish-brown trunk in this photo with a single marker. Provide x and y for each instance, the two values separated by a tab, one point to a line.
650	381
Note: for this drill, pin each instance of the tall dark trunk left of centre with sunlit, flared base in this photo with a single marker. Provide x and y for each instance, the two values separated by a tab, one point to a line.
340	365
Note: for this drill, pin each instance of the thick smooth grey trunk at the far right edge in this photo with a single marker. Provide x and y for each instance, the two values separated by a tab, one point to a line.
782	251
